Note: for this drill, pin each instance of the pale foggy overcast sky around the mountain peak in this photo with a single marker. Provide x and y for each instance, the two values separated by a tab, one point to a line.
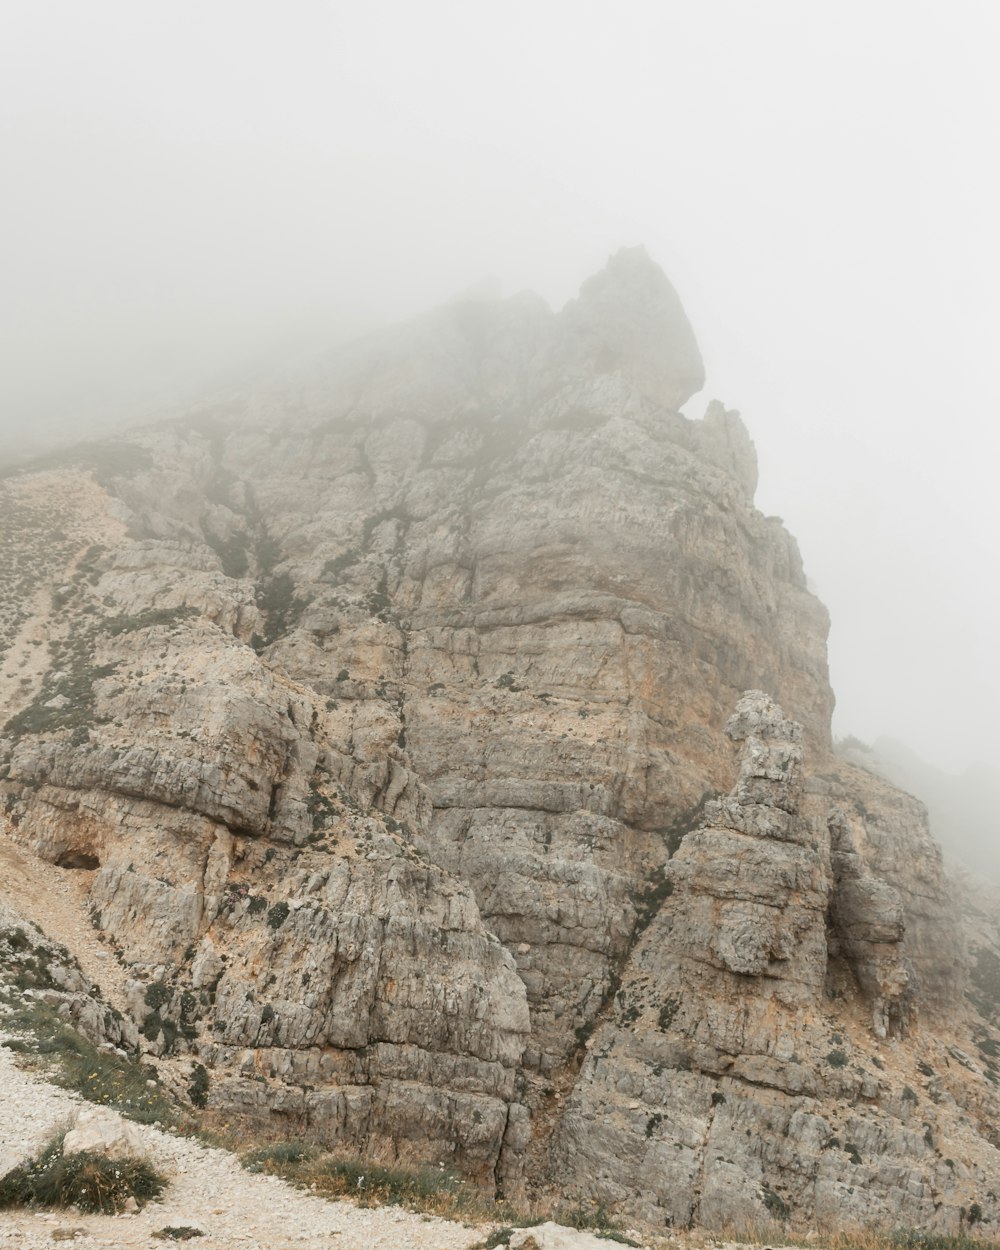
192	189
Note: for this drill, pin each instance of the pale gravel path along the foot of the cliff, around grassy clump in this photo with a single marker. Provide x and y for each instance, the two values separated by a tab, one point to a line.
237	1211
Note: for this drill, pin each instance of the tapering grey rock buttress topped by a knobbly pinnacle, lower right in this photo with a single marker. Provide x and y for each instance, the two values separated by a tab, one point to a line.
726	1087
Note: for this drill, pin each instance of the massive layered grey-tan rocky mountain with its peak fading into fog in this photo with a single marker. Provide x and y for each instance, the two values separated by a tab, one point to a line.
446	738
